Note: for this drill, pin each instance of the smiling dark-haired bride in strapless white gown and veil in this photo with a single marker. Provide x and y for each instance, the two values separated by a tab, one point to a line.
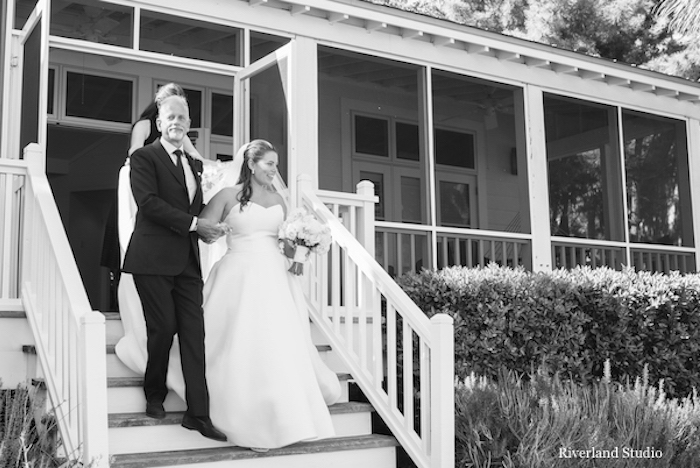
268	387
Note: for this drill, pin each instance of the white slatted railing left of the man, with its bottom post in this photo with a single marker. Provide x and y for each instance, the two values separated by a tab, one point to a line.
69	336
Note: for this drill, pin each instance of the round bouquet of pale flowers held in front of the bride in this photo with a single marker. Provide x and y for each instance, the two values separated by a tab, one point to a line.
302	230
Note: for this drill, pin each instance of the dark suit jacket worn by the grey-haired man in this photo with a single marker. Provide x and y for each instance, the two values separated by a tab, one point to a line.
161	242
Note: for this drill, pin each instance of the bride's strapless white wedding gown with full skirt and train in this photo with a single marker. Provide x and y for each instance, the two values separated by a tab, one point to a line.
268	387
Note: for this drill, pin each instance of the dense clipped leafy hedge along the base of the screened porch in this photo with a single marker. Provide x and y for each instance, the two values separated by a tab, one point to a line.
569	321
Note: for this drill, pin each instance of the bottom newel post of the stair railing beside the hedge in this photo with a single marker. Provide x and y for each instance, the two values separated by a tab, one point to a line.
442	426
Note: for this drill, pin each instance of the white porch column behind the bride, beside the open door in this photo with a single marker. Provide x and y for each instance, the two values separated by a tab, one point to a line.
303	115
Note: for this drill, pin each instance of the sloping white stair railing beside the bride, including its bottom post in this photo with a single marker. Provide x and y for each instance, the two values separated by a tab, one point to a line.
402	361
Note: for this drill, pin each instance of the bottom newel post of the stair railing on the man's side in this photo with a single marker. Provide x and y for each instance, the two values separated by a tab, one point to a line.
94	390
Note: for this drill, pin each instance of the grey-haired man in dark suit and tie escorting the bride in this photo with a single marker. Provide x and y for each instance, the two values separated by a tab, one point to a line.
163	256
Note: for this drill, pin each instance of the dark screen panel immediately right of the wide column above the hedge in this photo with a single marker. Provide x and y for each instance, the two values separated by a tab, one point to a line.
585	197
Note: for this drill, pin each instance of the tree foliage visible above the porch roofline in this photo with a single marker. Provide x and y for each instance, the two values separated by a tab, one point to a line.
637	32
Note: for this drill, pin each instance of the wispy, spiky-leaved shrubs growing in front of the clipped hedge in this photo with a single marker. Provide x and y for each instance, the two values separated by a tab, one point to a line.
544	422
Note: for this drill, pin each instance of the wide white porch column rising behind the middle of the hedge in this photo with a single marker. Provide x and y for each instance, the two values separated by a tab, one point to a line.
538	186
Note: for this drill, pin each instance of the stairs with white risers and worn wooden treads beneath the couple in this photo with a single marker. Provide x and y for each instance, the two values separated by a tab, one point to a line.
137	441
